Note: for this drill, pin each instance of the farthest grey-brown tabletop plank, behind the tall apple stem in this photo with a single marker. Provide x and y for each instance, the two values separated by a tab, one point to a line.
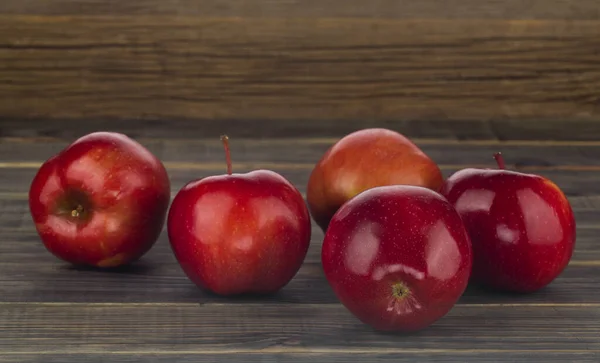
309	151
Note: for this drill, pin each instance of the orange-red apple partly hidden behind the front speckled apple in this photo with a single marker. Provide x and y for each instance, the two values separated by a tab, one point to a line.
362	160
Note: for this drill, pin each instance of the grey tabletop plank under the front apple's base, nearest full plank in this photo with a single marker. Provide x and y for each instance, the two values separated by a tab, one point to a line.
255	328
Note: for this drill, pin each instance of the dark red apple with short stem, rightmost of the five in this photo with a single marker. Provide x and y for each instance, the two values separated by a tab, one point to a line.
521	226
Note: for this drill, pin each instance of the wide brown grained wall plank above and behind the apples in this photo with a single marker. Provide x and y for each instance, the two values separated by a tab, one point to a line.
170	67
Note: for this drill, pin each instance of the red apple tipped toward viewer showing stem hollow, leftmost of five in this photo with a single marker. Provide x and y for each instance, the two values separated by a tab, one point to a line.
124	191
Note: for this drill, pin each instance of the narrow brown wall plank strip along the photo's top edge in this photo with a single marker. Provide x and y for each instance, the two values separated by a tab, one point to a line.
461	9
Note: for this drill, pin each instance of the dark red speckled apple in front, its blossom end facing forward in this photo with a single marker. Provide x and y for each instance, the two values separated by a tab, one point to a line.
392	235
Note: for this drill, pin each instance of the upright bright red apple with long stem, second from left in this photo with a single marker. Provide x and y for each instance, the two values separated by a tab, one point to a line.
239	233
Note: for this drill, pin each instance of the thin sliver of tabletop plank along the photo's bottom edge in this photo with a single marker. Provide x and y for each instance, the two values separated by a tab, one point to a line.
404	356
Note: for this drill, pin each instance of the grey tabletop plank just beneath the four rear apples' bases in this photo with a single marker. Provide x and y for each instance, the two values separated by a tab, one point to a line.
161	282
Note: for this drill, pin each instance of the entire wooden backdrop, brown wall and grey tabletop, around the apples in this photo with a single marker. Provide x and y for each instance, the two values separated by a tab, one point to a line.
285	79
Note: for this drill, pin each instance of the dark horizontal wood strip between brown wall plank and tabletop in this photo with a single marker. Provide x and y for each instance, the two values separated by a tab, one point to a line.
501	129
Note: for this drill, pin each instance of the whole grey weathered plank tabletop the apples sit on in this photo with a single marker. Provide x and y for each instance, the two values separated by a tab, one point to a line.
150	312
